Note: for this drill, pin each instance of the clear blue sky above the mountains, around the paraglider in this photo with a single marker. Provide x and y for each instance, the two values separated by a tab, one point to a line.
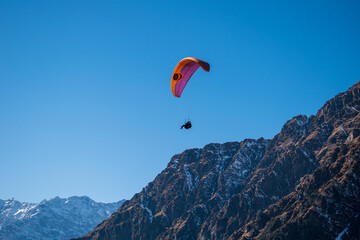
85	100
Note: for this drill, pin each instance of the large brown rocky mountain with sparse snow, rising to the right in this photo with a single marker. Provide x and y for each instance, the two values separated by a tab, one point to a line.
302	184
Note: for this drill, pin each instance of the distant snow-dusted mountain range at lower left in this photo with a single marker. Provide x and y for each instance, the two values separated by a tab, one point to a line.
57	218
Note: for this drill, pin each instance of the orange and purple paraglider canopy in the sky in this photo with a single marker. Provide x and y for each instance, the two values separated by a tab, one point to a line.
183	72
